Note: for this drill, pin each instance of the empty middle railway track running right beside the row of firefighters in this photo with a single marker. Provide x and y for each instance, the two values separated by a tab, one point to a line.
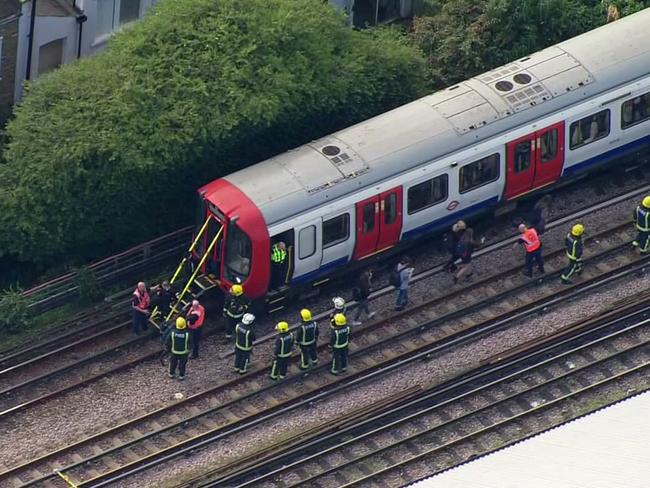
441	323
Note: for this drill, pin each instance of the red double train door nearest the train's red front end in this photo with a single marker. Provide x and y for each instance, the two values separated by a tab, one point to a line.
378	222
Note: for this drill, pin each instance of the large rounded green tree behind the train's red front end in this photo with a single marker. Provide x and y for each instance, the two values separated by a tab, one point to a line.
109	151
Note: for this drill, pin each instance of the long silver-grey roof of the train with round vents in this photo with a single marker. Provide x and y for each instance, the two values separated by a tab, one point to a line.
448	120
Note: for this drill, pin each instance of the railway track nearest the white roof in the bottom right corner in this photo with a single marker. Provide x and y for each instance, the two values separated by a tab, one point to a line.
498	404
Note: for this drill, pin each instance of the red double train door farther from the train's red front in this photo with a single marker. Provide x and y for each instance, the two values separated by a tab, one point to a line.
534	160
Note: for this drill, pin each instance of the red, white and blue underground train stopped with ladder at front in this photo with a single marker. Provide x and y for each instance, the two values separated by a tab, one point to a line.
484	144
